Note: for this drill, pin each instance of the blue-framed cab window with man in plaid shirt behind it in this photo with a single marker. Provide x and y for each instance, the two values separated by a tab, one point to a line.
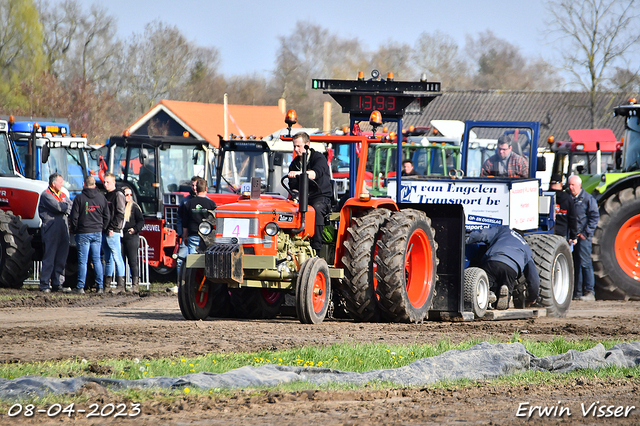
499	152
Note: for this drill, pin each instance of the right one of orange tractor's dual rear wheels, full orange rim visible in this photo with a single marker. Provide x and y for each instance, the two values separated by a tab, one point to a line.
406	266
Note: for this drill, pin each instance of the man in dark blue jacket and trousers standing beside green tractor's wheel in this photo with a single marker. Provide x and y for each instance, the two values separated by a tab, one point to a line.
587	216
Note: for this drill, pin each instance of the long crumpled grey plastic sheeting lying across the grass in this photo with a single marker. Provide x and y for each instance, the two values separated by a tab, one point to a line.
482	361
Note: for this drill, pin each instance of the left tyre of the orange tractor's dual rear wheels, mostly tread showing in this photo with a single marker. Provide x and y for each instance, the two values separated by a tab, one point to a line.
359	289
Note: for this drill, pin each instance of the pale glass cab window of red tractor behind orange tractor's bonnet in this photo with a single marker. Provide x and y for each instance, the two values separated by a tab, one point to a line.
179	164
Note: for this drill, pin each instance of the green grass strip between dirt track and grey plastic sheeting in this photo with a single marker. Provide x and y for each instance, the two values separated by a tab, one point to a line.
355	357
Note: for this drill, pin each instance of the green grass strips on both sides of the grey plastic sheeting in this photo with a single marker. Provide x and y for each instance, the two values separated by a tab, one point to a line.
343	356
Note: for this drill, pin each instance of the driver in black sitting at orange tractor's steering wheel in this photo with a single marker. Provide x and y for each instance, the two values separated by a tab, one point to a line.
320	189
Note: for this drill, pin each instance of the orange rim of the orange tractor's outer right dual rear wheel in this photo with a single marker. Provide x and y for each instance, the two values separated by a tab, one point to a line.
418	268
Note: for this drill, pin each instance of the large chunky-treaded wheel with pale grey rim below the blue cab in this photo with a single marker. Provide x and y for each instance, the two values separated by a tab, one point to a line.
552	256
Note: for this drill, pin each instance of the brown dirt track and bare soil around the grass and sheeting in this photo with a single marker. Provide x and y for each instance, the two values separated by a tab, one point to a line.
53	327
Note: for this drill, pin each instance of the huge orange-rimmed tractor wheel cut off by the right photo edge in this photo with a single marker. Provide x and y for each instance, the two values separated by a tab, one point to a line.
616	246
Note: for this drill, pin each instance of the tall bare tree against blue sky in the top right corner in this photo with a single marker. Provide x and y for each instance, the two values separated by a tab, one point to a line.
596	35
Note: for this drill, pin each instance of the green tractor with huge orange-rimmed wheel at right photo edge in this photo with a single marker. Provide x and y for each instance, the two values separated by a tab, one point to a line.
616	241
